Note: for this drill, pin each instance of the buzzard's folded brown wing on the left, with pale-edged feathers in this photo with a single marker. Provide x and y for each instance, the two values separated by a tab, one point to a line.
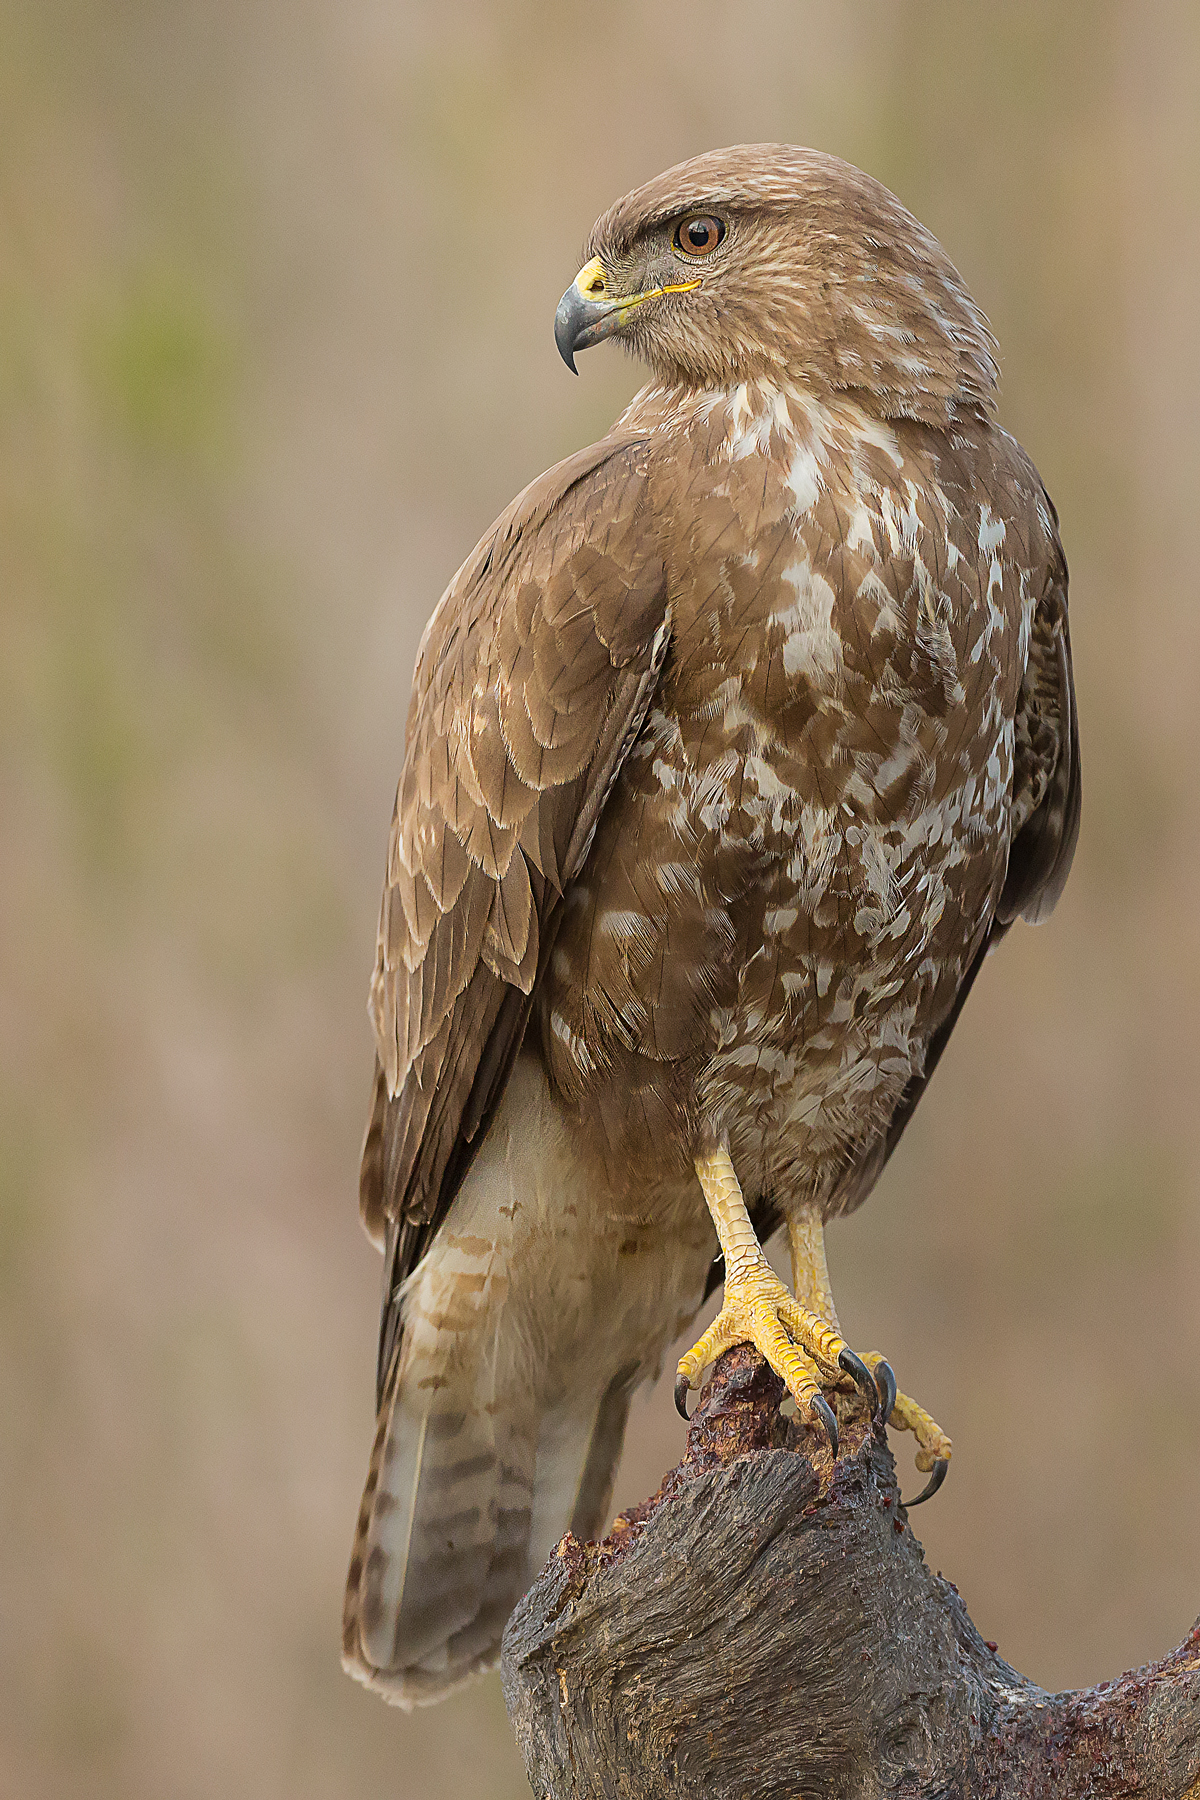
533	679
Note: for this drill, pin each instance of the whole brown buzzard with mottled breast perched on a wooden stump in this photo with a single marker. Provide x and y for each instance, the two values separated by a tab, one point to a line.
733	748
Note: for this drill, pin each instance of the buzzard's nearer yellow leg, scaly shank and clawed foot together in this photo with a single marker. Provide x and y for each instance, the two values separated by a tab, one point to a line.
801	1347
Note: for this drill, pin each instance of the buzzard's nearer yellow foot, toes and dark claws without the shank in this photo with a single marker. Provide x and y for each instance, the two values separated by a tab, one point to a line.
805	1351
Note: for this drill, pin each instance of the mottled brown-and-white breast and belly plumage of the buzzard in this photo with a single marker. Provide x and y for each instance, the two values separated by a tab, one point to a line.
810	838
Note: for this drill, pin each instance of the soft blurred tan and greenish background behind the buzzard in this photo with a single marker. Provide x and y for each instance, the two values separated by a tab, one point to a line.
276	301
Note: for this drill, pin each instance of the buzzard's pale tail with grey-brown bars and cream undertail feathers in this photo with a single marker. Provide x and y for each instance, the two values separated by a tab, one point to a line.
523	1333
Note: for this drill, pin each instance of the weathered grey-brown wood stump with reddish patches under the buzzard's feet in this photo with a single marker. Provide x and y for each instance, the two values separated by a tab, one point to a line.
766	1626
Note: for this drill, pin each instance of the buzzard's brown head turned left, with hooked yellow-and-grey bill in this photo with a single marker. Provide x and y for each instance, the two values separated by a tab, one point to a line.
775	264
